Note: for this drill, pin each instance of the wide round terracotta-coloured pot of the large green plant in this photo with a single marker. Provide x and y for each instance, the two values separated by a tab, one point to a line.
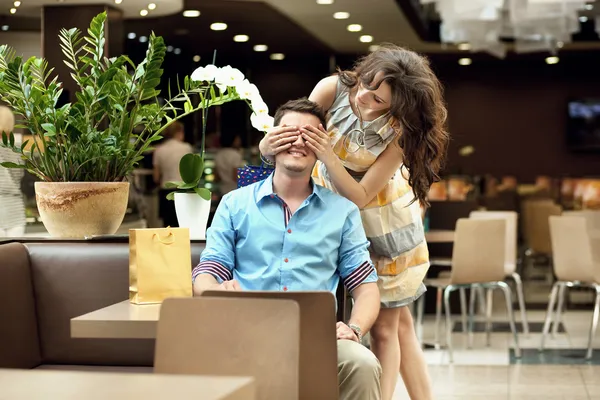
81	209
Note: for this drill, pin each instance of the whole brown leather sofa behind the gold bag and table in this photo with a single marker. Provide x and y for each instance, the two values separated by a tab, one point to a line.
43	284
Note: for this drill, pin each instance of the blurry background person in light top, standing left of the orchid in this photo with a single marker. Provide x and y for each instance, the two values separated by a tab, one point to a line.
166	169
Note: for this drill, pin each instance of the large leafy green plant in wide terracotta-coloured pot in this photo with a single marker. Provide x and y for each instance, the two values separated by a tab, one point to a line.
84	151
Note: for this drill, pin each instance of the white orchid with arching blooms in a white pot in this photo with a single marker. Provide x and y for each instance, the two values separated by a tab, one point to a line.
216	86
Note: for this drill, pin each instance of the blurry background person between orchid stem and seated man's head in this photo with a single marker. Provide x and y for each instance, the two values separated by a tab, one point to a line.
227	161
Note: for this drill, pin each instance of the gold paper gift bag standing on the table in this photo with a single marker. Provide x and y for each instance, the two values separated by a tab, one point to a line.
159	264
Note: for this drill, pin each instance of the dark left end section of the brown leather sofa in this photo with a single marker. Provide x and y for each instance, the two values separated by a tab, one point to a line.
18	327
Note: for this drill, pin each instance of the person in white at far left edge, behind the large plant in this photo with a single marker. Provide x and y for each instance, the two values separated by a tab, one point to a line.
12	204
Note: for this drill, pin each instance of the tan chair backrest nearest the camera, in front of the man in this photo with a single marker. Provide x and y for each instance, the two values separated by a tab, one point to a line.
232	337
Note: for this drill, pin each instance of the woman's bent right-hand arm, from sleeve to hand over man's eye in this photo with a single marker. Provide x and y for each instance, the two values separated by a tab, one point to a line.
360	193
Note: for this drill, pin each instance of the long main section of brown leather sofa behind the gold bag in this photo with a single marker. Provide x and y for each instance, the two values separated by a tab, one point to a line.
74	278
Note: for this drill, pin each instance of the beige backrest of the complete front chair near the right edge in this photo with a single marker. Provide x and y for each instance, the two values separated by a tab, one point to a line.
571	249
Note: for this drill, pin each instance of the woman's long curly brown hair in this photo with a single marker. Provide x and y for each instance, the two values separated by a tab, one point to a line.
418	105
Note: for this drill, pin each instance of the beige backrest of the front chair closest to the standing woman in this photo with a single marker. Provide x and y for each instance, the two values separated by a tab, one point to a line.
479	251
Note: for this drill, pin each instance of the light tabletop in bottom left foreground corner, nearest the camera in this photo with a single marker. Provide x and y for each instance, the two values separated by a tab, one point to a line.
17	384
